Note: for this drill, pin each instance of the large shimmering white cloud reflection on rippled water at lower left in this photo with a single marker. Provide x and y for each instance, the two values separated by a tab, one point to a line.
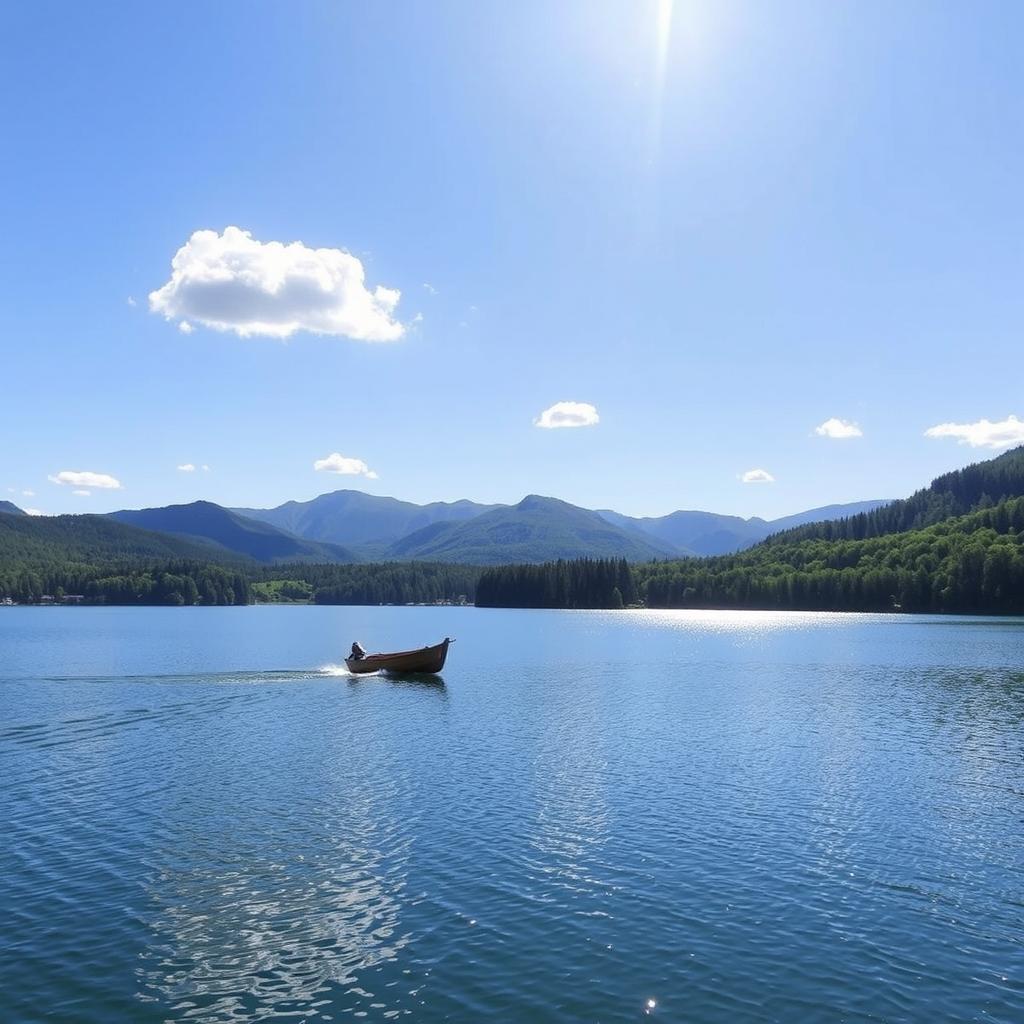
254	927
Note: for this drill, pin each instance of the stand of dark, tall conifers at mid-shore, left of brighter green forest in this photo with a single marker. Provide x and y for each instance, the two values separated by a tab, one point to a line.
581	583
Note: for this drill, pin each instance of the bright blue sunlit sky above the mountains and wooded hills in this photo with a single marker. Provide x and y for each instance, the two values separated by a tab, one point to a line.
720	237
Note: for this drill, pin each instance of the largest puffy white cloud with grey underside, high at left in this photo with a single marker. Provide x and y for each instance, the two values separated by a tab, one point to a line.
232	282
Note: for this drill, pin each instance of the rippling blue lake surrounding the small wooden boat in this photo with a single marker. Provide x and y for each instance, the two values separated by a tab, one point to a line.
595	817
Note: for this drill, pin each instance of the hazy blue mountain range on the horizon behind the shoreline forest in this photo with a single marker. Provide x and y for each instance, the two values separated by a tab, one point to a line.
352	527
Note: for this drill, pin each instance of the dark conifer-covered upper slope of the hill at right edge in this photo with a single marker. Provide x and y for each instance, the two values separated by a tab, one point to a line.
963	491
